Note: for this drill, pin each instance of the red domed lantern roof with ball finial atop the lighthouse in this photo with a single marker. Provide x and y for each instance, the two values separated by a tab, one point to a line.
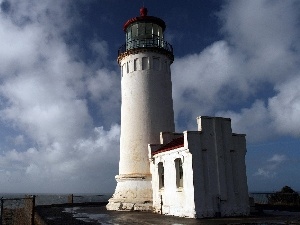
145	18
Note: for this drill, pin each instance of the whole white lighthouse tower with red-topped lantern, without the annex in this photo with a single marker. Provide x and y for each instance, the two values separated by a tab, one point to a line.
147	107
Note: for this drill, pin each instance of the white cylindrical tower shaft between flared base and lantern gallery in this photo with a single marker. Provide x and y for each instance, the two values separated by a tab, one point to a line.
147	109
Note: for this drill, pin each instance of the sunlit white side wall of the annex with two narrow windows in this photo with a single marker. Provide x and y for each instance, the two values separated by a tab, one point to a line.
170	199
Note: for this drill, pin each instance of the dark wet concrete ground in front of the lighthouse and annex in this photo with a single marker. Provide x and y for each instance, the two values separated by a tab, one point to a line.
78	214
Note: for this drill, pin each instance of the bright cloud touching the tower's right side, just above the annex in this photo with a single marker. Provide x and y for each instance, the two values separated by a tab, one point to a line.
202	82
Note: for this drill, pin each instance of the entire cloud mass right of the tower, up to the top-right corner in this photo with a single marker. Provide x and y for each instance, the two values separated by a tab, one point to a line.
256	63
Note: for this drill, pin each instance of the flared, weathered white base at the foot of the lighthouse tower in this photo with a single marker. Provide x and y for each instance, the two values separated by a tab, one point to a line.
133	192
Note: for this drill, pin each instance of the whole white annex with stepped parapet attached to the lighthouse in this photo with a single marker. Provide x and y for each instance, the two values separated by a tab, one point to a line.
200	173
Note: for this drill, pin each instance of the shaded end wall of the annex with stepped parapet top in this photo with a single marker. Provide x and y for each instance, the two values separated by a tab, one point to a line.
223	158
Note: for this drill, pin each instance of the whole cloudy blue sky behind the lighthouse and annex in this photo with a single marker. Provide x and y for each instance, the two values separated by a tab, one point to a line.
60	86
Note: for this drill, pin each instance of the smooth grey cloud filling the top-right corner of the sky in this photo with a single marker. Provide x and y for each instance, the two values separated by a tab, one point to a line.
266	32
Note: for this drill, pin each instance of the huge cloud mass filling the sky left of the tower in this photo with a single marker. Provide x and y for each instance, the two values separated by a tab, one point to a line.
54	144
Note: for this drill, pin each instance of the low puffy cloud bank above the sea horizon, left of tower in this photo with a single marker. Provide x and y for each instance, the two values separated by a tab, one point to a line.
92	160
